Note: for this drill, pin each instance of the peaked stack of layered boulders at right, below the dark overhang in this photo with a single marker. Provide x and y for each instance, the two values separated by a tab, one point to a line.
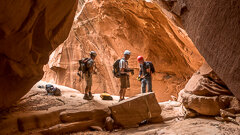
205	93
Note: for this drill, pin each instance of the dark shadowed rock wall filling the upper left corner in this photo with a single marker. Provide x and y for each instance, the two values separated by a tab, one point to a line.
29	31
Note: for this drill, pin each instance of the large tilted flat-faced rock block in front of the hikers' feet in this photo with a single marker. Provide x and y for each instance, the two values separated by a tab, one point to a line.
132	111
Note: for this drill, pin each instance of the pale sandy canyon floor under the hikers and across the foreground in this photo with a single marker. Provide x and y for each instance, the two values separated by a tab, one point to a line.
36	101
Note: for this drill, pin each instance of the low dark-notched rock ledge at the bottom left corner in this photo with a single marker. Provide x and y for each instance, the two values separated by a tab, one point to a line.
23	122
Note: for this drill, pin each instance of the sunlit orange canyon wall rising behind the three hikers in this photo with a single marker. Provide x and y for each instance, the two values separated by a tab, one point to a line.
111	26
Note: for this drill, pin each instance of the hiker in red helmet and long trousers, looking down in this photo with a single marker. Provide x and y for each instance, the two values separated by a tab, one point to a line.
145	72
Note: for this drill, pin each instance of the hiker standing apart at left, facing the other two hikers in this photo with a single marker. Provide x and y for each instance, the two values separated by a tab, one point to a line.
90	64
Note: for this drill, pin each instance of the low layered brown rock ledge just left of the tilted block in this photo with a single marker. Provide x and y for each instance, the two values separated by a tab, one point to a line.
74	121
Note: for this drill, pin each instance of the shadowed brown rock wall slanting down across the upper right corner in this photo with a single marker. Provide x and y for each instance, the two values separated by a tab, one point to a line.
214	28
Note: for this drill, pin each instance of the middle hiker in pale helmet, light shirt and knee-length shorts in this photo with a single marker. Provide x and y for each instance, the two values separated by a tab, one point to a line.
124	74
